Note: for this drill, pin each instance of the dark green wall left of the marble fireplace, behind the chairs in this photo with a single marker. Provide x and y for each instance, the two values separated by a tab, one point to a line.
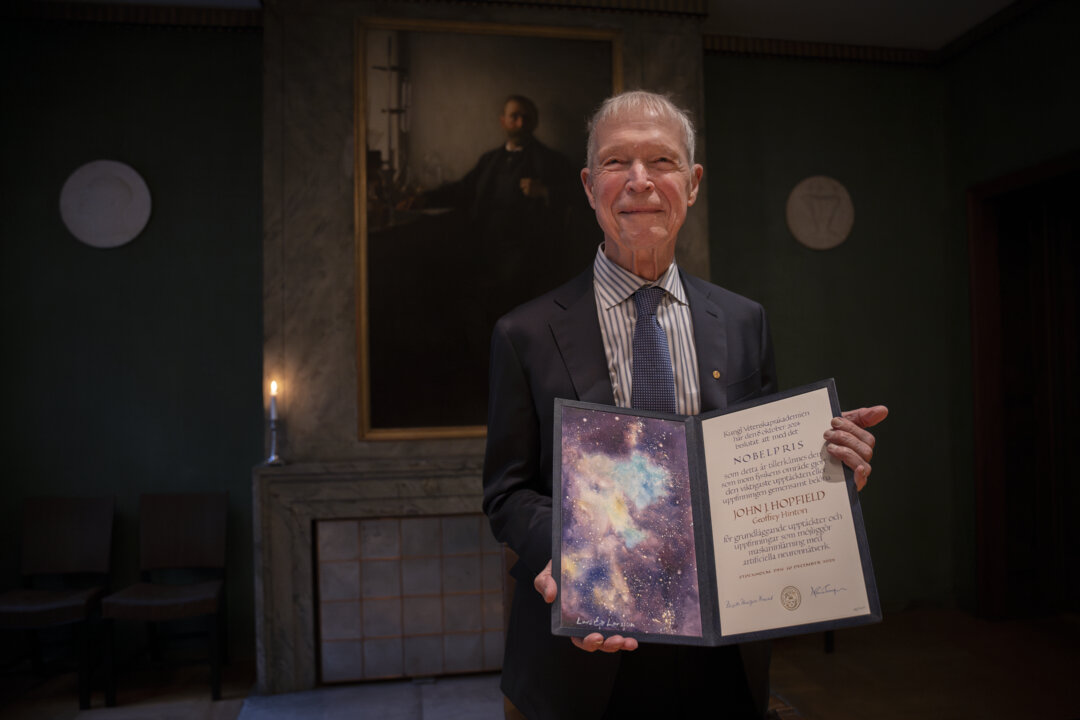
136	370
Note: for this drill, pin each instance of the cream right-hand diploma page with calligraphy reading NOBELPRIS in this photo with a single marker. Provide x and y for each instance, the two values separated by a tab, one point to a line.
781	518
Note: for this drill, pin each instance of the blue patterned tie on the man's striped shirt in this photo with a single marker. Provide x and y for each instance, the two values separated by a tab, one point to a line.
653	382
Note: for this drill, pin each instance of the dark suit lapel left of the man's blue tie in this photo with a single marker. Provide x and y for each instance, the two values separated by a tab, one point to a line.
577	334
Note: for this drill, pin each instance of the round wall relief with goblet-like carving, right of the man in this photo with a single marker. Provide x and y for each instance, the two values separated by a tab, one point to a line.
820	213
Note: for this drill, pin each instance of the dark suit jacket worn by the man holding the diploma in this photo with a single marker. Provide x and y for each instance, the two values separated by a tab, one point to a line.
552	348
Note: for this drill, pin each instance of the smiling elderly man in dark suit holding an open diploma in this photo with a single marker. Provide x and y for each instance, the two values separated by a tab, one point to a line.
576	343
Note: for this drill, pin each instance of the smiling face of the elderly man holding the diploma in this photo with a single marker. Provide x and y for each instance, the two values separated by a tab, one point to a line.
641	186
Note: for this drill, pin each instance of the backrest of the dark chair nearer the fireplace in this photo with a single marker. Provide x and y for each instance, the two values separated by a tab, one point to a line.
183	531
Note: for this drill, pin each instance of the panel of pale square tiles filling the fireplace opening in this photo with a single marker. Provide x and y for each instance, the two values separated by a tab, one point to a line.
414	596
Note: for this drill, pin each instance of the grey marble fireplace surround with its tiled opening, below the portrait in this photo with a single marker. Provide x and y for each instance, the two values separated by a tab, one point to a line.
374	570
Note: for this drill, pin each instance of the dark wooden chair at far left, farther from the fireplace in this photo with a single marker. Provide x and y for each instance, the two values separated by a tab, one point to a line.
66	550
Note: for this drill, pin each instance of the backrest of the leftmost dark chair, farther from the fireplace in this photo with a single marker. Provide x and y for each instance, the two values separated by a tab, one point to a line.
63	536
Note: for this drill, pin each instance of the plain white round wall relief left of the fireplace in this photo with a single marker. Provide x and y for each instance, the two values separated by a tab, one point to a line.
105	203
